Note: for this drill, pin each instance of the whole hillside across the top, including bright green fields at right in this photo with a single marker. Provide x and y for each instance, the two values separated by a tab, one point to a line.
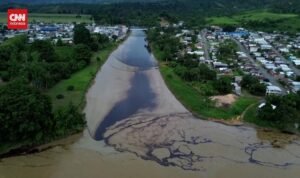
193	12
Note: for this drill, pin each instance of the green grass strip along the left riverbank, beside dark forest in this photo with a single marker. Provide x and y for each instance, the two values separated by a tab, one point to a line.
80	80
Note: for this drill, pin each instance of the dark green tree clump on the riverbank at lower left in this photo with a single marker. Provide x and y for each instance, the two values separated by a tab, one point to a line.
26	117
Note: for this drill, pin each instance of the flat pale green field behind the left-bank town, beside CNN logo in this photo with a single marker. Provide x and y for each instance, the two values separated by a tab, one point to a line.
52	18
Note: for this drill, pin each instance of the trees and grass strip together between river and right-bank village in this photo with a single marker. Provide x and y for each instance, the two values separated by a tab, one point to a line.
191	83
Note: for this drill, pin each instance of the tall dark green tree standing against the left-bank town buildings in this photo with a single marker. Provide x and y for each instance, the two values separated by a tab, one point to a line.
81	35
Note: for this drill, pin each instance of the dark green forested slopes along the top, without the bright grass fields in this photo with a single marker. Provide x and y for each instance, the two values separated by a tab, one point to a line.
145	13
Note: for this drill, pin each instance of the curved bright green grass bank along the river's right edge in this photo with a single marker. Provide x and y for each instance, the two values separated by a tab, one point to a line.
201	105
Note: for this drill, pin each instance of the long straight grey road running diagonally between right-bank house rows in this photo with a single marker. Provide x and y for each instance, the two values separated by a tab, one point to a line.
259	67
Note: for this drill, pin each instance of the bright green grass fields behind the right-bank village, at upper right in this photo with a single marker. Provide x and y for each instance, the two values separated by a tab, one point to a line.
282	22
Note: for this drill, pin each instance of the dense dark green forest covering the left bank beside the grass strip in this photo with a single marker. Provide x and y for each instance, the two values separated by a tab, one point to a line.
28	71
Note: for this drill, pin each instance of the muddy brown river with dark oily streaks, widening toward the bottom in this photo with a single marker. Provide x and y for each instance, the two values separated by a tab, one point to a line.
136	128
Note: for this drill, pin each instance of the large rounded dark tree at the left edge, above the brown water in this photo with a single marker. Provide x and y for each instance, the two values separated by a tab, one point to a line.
25	114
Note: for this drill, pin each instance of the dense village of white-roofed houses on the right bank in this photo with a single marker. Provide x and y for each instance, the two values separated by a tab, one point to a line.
271	57
